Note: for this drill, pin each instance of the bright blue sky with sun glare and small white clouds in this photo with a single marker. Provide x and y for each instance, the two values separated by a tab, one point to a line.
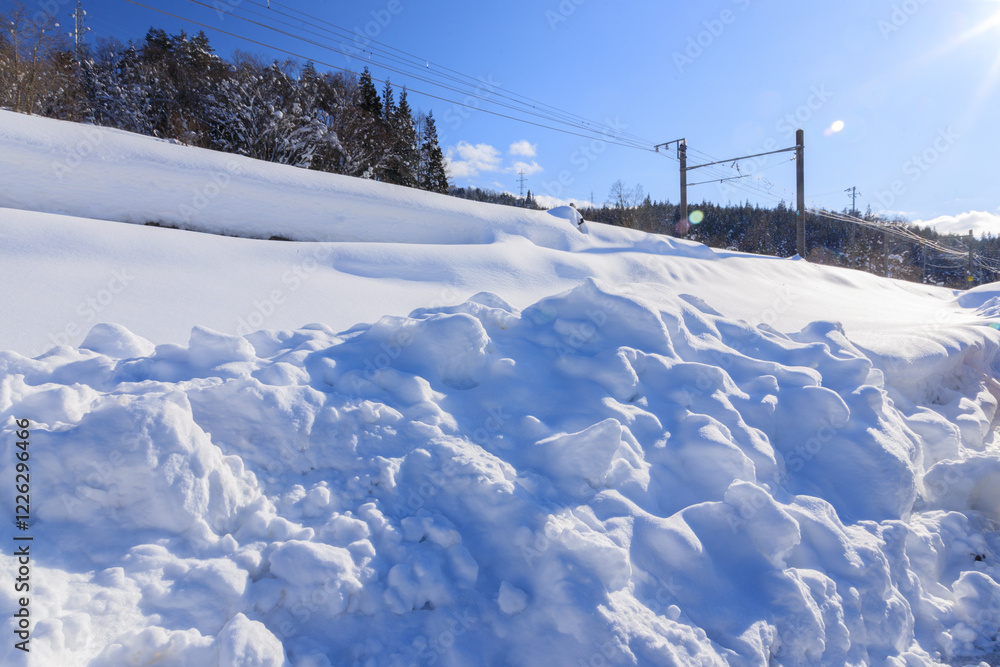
913	87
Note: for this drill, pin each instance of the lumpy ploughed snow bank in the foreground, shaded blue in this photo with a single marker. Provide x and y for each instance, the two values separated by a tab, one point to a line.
608	476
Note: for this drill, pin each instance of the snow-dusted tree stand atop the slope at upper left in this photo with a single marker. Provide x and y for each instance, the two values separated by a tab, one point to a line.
176	87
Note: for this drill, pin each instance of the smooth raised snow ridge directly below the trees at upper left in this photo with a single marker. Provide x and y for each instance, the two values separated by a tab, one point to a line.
95	172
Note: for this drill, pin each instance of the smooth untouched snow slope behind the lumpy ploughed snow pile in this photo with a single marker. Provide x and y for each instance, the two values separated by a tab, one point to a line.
67	268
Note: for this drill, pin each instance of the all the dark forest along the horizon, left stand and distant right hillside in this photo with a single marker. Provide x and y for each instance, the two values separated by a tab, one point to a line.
176	87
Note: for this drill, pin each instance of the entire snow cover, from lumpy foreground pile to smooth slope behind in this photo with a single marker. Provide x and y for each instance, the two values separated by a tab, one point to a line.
426	431
